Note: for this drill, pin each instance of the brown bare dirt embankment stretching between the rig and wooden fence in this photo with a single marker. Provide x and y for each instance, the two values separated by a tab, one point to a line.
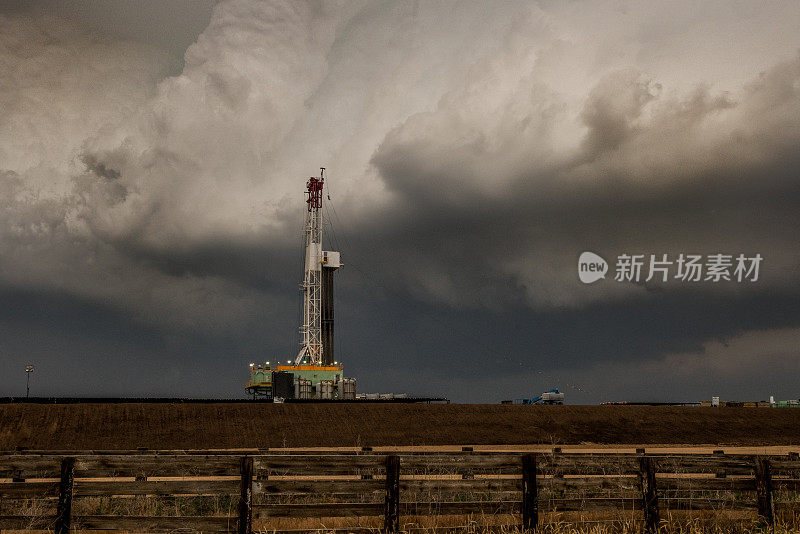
250	425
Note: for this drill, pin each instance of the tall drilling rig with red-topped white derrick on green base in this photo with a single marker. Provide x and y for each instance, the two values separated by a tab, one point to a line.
314	373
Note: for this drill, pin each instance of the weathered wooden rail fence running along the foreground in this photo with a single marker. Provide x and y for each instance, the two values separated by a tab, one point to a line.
280	484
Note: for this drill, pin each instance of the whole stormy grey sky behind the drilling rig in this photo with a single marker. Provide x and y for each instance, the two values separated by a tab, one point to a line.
153	157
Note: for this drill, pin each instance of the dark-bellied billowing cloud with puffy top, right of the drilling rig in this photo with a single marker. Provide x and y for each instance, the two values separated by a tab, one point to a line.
690	178
